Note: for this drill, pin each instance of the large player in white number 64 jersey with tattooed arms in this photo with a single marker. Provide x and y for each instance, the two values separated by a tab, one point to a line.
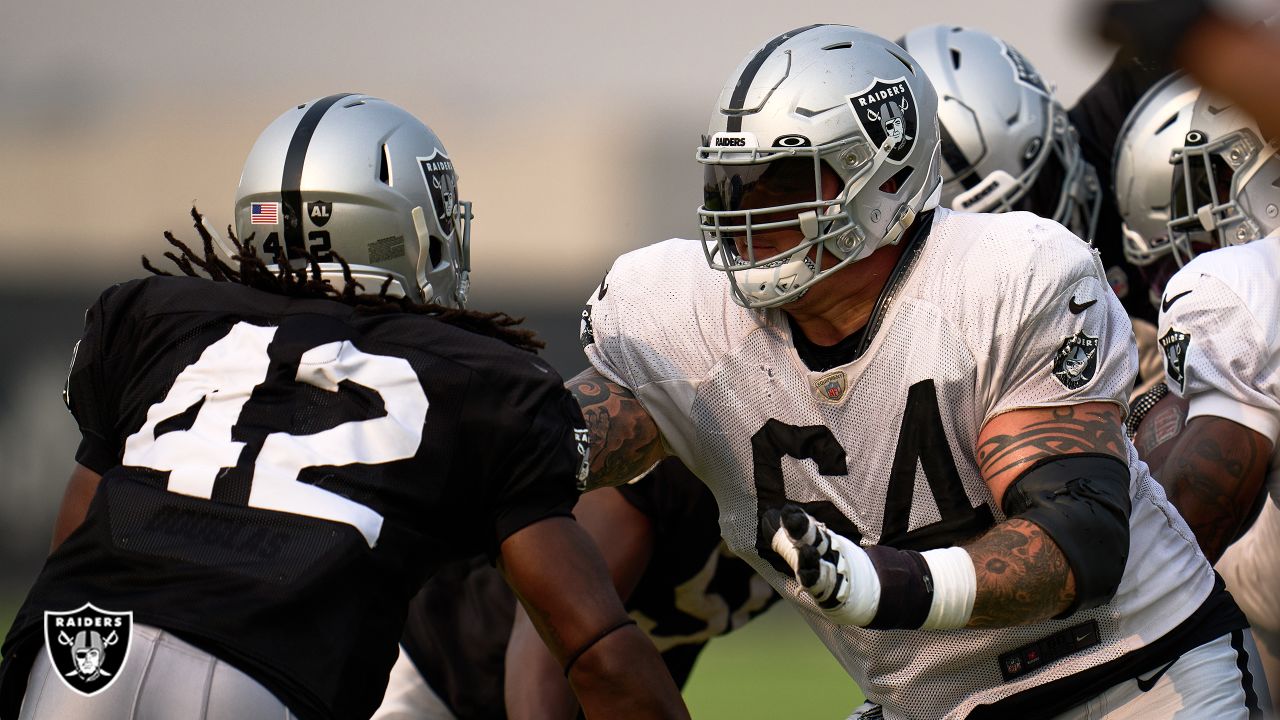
909	417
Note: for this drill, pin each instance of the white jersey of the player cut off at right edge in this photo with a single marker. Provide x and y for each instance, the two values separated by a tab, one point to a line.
1220	334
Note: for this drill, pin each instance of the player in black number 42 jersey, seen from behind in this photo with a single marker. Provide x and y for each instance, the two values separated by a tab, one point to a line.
273	464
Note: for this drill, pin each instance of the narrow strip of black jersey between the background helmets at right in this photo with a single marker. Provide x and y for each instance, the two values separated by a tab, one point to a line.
1099	117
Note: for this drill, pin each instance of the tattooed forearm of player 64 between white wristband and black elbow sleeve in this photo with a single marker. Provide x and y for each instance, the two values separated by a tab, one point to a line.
1022	576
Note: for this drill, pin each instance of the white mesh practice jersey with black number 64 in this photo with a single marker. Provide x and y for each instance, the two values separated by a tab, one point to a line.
996	313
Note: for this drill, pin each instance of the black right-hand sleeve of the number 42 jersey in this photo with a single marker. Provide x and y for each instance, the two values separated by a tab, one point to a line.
541	477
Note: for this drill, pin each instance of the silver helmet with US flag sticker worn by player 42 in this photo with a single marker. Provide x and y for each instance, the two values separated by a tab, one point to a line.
360	179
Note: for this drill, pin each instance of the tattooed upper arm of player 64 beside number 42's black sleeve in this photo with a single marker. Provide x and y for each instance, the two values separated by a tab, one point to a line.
625	440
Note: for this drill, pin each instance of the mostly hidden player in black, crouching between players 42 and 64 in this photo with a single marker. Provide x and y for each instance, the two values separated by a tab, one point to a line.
662	544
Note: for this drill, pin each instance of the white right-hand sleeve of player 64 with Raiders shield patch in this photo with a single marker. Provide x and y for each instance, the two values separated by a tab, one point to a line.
1053	334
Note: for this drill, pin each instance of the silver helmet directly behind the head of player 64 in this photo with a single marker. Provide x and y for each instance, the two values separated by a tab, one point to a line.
1007	143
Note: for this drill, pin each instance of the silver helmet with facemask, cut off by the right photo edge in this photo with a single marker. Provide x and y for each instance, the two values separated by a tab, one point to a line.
1227	181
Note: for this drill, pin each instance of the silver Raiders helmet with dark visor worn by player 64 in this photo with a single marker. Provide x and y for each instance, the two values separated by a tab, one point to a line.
820	106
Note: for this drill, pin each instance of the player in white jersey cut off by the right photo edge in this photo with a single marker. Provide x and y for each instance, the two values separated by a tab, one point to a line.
1220	334
